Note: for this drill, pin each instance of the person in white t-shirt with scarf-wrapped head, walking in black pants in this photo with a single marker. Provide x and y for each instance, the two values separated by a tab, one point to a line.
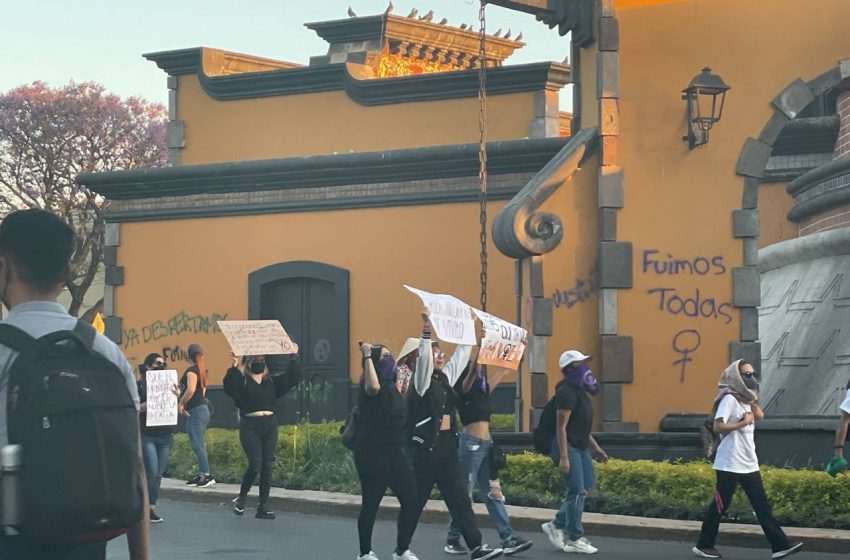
736	461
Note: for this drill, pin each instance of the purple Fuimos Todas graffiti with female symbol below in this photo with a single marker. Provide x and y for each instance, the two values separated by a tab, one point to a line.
692	301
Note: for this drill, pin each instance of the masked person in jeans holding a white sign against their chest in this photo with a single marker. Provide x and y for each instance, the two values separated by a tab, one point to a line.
157	441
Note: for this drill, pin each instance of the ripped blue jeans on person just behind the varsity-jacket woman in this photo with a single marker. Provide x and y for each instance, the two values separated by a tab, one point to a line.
474	457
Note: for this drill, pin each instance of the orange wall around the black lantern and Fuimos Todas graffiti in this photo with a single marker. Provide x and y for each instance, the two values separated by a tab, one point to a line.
679	202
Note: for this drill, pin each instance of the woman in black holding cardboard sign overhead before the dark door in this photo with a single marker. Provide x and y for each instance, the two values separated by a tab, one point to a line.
255	390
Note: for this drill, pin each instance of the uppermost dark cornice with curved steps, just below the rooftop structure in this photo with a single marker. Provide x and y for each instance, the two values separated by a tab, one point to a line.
369	92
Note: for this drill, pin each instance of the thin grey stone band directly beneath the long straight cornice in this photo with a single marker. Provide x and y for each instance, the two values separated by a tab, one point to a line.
212	211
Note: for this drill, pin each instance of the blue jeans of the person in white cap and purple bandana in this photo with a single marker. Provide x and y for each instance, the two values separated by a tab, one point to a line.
576	485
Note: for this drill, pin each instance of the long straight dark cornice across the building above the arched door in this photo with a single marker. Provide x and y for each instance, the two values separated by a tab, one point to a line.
461	160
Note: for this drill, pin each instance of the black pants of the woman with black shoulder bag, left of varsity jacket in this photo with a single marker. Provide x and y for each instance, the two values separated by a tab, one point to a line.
380	468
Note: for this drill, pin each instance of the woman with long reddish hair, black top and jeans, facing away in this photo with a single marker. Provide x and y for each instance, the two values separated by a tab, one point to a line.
193	405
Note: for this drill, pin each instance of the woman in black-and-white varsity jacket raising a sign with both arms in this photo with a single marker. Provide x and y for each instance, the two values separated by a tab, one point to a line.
434	435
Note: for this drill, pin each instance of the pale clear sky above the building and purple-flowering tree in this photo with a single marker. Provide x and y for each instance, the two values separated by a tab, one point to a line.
56	41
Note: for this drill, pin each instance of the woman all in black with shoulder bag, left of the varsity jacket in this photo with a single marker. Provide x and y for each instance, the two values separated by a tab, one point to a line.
380	453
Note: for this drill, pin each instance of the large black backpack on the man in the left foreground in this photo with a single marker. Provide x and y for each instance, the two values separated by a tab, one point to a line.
71	411
